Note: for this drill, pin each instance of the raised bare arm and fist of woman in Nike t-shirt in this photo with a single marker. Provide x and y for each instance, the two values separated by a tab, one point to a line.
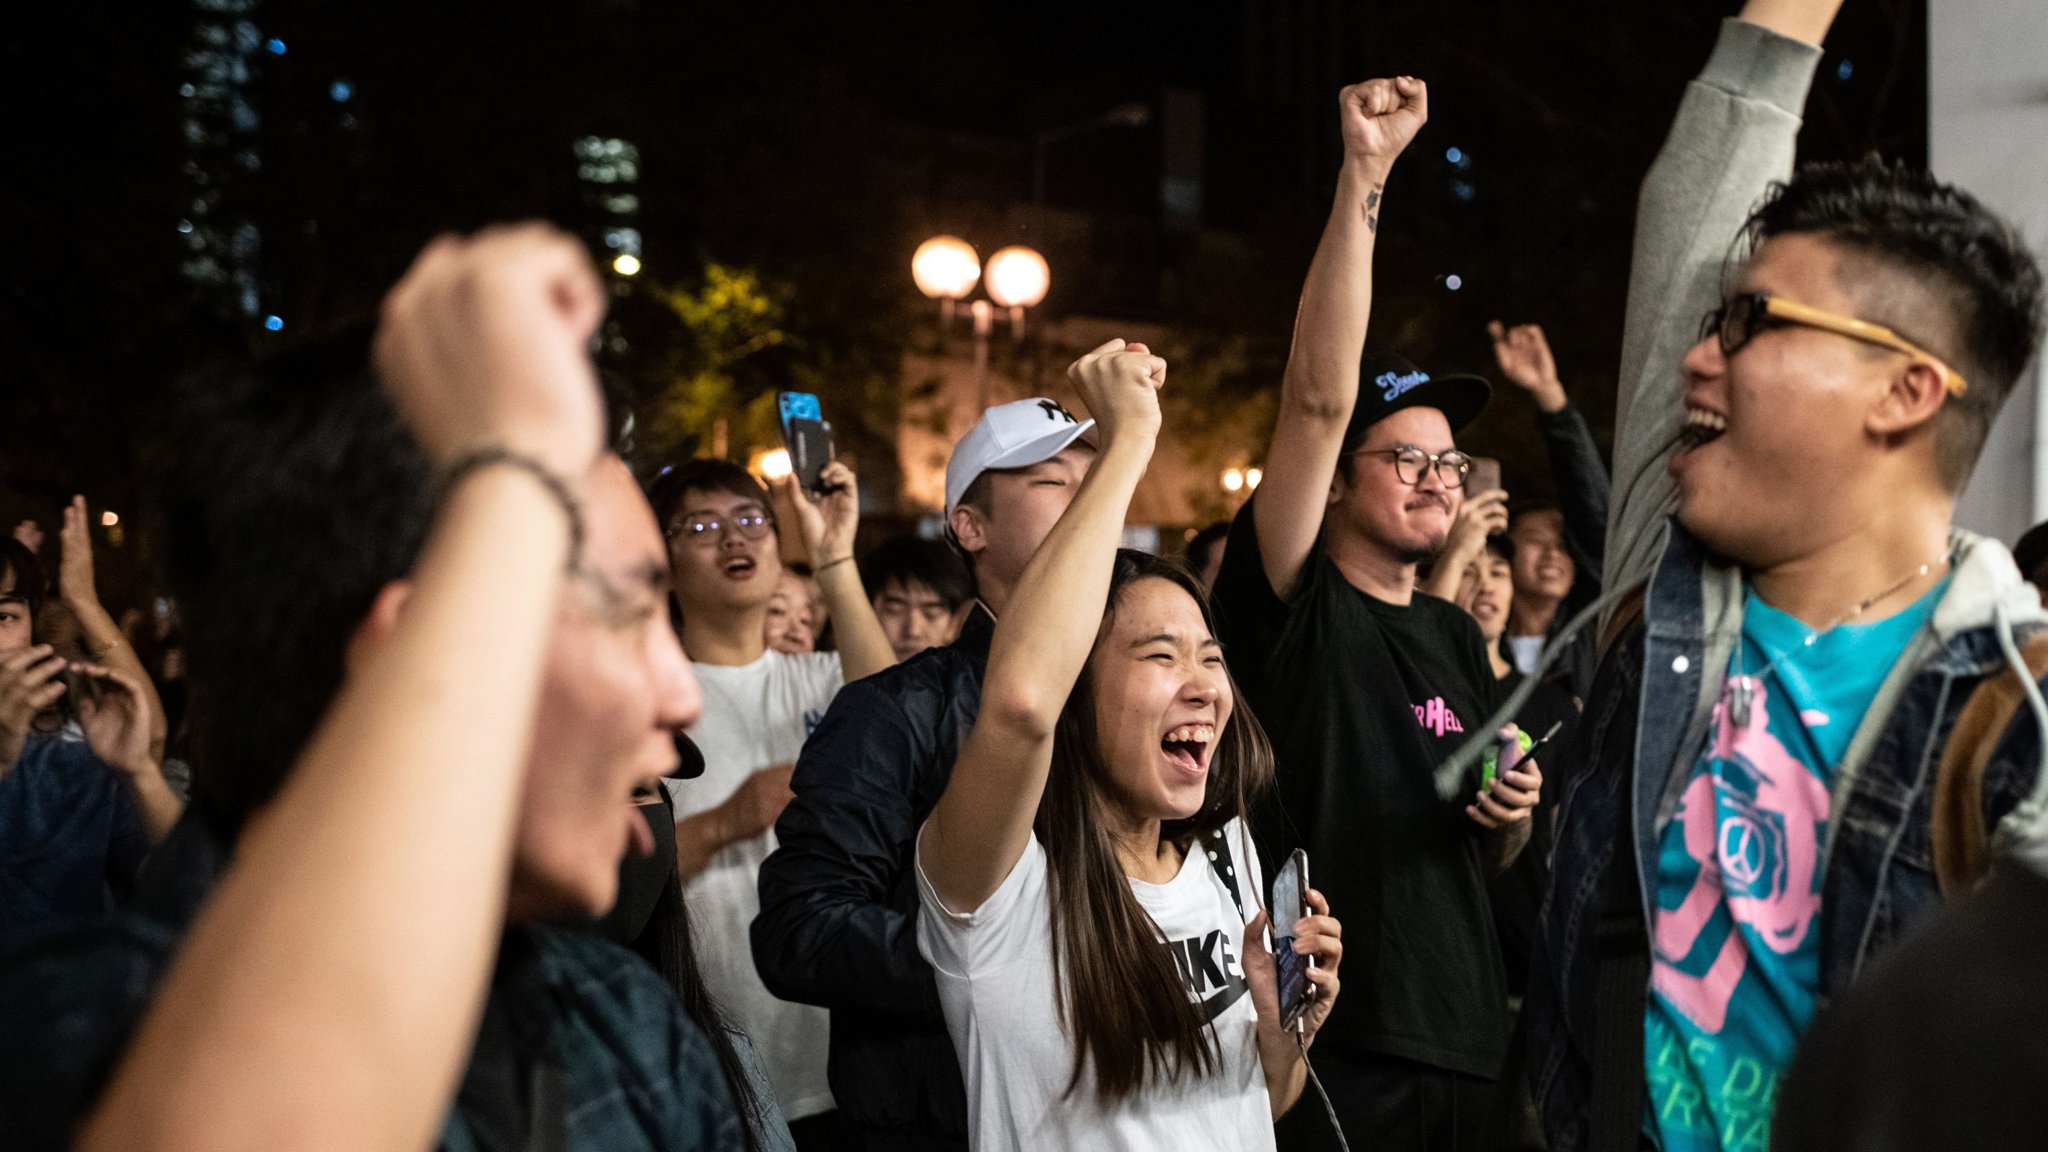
982	825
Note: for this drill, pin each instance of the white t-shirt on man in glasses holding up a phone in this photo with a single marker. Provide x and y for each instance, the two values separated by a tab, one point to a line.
755	716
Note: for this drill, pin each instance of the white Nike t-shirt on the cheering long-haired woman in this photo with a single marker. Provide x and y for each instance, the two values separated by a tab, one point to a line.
998	991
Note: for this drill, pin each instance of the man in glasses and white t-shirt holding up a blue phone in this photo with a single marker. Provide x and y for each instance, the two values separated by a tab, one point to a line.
761	706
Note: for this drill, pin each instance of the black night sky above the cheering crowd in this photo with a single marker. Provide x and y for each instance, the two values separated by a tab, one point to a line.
816	145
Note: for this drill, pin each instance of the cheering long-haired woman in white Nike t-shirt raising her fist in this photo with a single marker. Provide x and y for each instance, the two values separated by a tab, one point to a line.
1099	946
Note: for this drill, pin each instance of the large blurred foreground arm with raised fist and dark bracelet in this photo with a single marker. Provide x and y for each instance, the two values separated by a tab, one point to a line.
333	985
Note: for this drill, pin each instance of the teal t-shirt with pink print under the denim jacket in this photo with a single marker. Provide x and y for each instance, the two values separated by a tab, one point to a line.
1736	940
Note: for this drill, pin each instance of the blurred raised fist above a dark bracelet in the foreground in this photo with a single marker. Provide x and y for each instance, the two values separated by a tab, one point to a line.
486	343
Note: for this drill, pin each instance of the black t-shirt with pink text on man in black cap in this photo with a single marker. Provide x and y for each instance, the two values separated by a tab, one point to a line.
1363	700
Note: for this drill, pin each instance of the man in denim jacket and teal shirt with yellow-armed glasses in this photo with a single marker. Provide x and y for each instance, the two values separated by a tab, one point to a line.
1746	807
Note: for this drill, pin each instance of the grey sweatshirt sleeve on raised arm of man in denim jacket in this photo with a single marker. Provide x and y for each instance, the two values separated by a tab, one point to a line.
1732	138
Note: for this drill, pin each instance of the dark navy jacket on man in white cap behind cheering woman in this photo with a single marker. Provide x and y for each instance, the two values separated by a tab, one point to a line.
839	923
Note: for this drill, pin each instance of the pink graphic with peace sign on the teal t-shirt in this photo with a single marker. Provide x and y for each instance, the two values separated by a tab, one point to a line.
1758	850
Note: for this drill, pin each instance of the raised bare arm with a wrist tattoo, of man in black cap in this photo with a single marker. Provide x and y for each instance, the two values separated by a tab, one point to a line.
1330	331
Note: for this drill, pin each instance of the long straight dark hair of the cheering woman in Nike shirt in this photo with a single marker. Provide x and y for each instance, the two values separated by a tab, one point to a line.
1119	989
